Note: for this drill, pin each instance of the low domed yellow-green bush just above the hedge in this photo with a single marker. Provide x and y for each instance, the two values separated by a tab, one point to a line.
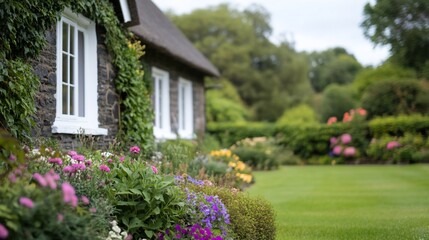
301	114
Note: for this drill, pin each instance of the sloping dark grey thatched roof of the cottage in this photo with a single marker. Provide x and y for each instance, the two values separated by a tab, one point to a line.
157	30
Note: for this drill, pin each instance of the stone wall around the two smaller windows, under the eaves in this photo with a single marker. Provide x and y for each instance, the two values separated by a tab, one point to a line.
176	70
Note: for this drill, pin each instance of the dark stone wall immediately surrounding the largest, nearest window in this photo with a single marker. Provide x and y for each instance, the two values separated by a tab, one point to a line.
108	108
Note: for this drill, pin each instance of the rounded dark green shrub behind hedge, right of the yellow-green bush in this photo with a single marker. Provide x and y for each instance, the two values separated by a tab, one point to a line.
336	101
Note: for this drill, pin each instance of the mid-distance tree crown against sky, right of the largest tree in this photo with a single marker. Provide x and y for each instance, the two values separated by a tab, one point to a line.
334	65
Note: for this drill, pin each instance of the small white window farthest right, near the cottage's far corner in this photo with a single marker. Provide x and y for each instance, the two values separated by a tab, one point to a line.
186	113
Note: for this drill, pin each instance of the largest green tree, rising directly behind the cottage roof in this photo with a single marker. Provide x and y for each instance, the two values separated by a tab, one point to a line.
268	77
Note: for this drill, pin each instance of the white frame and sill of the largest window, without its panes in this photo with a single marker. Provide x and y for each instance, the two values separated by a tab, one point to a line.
74	124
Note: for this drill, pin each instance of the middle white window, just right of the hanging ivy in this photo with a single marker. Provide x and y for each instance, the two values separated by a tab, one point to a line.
161	98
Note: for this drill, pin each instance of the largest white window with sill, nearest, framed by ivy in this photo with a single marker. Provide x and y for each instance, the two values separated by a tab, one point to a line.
76	96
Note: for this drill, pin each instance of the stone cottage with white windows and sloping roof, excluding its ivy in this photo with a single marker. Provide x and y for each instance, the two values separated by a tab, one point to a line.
77	77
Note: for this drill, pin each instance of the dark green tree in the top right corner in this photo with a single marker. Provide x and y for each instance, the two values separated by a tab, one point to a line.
404	26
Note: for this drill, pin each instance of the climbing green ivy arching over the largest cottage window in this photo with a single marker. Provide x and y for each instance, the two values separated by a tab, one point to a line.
136	121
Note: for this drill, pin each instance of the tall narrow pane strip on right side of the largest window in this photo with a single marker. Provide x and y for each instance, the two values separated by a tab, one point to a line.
81	73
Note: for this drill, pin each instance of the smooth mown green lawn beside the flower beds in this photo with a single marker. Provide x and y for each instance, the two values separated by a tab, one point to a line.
348	202
